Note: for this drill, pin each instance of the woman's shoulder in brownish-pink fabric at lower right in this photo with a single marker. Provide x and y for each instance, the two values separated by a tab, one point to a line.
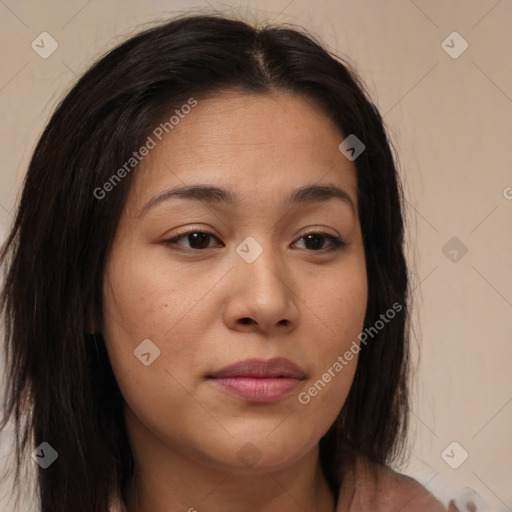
377	488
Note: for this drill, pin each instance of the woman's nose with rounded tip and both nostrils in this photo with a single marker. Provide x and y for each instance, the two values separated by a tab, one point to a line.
260	296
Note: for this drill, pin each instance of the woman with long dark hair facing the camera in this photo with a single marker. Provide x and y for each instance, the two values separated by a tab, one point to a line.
206	295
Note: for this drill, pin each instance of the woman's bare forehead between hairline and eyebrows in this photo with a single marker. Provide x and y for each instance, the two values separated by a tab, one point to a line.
261	145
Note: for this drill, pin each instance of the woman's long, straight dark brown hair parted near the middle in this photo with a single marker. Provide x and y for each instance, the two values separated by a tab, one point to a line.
60	385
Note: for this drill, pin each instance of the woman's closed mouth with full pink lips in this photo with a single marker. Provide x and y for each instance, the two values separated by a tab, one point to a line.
259	381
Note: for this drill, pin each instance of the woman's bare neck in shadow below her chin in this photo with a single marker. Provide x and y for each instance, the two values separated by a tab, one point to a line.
167	480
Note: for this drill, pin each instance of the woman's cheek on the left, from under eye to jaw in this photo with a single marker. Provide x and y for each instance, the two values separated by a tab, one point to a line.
143	301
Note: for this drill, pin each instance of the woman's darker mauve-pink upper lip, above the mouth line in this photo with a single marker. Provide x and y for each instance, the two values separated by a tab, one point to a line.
258	368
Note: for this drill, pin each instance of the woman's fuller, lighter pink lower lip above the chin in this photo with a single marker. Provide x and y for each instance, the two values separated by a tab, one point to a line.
262	390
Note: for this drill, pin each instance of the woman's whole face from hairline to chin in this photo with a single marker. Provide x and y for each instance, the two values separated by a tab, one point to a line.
248	283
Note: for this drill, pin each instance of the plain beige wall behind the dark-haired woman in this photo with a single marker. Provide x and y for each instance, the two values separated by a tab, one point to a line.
451	121
